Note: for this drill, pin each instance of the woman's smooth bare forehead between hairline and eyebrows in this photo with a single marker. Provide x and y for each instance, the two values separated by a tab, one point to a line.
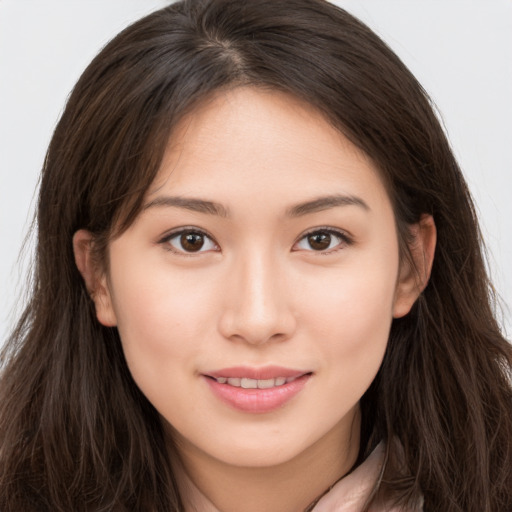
260	145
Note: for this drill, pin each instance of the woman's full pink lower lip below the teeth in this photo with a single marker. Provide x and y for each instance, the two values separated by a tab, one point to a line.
257	400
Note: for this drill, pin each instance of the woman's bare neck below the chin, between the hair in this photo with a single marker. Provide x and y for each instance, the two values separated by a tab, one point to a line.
209	485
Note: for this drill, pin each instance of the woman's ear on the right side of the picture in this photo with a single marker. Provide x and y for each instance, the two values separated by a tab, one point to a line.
414	275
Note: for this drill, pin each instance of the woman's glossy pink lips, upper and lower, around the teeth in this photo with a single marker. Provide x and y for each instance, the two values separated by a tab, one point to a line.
257	400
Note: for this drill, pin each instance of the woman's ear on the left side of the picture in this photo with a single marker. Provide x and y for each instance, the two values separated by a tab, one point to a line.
95	280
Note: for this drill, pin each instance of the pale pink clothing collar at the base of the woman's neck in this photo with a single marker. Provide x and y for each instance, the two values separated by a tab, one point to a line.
347	495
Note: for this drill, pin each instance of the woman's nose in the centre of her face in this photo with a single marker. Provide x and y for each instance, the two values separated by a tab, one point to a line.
257	306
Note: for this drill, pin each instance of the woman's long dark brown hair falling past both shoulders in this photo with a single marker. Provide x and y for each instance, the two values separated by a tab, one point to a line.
75	431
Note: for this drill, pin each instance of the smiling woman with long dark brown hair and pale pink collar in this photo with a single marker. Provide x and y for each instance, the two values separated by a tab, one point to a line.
258	283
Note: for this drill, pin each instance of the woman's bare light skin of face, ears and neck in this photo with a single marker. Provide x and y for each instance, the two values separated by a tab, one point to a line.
257	294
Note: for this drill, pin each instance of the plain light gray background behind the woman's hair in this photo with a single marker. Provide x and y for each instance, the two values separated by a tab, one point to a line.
460	50
